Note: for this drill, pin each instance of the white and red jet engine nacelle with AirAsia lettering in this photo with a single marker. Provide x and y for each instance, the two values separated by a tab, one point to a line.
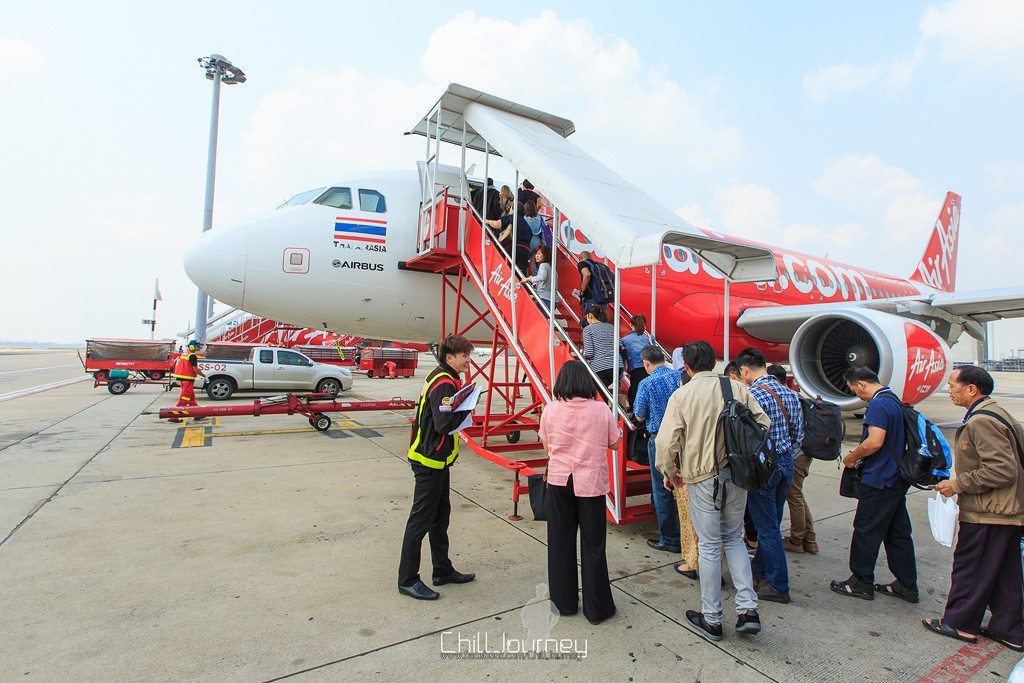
907	355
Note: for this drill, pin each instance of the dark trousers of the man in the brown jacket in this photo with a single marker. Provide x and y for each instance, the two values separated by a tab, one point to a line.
988	574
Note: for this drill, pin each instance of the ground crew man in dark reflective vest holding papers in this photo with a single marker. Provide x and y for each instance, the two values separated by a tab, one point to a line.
433	451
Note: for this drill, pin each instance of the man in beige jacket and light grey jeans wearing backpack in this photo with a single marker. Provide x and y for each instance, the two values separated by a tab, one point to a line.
692	452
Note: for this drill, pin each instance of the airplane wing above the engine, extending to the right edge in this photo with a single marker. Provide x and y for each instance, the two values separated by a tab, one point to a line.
779	324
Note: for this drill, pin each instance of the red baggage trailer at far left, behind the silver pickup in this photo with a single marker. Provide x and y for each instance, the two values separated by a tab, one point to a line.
119	364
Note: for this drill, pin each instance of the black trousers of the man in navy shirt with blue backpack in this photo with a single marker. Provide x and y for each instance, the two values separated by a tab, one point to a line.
882	519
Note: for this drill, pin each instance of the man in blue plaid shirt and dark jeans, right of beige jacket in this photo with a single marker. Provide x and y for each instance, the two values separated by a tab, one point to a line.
772	576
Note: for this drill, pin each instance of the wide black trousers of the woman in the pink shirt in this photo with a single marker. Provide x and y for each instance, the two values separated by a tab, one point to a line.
567	514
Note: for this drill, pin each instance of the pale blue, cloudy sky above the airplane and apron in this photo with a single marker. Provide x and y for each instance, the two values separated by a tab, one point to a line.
817	126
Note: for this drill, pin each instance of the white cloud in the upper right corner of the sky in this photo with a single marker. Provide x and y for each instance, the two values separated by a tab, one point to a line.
975	37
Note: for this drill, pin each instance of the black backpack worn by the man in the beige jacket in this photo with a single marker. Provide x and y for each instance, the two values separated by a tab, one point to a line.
752	458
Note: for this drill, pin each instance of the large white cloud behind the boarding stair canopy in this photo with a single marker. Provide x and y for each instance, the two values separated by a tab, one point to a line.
324	124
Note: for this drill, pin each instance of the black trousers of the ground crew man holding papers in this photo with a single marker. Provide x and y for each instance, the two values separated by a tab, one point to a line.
431	515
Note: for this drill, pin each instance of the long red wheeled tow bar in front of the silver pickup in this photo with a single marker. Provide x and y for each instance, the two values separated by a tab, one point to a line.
314	406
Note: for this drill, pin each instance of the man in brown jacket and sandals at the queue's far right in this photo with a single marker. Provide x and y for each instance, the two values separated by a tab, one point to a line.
990	466
